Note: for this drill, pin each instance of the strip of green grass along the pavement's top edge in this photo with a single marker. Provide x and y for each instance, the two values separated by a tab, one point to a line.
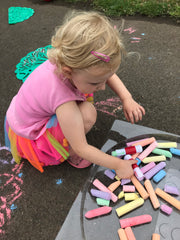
150	8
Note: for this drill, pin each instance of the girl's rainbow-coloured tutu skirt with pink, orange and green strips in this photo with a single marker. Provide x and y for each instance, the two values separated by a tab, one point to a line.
51	148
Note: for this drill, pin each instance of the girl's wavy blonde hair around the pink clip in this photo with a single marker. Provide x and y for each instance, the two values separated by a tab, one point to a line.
81	33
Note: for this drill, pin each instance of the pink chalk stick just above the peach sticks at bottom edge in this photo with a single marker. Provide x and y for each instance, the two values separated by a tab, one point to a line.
133	221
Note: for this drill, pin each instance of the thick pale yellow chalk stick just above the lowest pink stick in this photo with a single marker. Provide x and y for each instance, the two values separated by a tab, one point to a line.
129	206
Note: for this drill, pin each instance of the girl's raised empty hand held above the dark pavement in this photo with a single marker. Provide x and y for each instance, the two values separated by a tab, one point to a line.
132	110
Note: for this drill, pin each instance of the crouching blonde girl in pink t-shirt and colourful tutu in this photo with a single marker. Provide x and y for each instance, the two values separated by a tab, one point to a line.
48	119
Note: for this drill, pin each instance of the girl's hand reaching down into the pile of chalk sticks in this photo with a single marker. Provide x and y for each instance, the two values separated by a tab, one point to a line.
125	170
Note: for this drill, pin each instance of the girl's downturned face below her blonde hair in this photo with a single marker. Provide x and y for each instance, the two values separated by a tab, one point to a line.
91	80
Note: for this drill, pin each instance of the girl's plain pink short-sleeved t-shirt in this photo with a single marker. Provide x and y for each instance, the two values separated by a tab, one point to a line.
37	100
